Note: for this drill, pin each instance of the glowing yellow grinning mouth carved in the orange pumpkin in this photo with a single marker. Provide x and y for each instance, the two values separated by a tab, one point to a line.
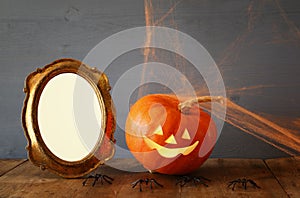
170	152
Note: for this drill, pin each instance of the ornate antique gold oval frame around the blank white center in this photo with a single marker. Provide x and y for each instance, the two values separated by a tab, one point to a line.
38	152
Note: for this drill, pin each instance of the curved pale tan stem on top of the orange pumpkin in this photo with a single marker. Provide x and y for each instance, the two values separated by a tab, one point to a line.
186	105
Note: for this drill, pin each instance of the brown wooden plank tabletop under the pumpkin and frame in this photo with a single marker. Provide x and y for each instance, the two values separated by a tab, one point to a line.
276	177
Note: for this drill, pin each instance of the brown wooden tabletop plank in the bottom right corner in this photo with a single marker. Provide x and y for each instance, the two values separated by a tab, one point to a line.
287	171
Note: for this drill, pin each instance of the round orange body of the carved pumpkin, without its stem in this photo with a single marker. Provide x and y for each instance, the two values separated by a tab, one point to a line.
155	110
